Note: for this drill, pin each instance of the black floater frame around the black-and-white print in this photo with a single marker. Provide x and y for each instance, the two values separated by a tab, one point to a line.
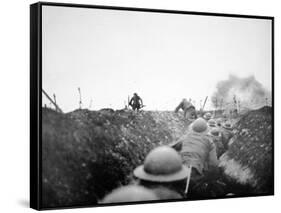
36	97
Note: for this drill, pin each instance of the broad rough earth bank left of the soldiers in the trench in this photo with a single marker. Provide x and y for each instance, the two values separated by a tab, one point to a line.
86	153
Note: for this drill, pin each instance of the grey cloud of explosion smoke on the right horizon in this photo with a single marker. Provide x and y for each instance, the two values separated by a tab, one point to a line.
247	92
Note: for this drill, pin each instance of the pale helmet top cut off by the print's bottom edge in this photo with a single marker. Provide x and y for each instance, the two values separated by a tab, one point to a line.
130	193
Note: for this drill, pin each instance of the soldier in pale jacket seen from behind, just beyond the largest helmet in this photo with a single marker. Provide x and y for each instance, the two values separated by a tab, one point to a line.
198	150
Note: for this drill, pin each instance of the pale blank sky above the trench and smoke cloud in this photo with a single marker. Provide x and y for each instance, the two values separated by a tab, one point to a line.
111	54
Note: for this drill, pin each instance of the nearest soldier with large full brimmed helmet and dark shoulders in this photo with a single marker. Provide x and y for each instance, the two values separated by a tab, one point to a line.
163	172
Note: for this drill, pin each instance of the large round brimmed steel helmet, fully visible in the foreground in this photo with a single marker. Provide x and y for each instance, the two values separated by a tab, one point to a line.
162	164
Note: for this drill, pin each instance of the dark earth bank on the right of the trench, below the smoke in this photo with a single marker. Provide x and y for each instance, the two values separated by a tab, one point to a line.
248	161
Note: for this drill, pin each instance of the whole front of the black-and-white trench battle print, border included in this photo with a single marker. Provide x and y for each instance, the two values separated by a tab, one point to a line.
146	106
